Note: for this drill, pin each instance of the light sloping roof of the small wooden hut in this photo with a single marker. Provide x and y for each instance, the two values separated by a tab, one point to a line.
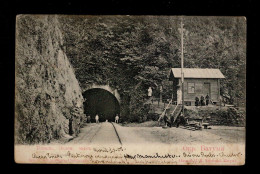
197	73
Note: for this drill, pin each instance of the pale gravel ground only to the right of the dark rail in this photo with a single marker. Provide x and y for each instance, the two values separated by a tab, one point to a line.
217	134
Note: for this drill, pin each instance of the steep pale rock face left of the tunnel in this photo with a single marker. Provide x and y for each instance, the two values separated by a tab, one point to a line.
48	98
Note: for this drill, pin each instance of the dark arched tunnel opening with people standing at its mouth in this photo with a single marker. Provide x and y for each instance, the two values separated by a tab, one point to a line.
102	102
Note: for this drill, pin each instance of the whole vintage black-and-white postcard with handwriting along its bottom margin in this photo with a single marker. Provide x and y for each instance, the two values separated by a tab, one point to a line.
122	89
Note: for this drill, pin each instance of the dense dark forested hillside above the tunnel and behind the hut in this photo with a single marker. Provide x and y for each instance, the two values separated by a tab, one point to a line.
132	53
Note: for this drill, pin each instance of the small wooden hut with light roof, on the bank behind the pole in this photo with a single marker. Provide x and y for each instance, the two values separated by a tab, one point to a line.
197	83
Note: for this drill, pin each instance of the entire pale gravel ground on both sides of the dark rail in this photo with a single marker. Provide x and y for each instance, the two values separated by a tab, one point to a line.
104	134
